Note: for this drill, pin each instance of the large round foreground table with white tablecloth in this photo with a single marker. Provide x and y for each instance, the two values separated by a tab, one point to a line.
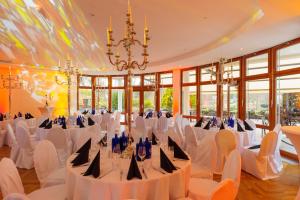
111	186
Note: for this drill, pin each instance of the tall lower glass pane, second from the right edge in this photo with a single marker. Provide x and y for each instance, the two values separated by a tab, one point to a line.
257	101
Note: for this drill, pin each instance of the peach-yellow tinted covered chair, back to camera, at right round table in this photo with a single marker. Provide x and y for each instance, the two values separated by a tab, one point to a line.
226	142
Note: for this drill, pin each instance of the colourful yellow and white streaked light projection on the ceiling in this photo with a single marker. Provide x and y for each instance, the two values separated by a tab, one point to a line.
40	33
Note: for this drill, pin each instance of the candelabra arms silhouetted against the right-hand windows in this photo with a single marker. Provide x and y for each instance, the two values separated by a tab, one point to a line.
224	76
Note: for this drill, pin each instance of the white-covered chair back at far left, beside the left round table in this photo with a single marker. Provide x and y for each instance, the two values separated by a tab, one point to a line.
23	137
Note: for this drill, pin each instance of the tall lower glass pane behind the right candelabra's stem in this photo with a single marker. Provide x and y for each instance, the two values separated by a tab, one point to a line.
233	101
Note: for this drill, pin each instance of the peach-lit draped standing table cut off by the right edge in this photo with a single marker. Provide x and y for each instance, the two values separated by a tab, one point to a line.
293	133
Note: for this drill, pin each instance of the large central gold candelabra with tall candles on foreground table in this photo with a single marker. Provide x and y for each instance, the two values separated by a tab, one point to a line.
127	63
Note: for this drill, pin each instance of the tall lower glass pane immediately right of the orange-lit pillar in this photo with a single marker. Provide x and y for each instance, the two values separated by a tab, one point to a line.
189	100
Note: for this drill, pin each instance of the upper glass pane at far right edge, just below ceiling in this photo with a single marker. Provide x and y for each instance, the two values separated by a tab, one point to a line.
288	58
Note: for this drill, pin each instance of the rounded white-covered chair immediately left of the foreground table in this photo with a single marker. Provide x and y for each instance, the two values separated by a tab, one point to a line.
46	163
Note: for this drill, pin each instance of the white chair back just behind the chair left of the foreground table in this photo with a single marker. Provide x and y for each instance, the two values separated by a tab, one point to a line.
57	136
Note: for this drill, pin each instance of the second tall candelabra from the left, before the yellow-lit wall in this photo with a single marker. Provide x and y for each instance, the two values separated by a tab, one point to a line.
68	70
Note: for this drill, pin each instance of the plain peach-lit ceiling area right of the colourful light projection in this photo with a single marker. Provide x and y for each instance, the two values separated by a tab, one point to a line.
194	32
